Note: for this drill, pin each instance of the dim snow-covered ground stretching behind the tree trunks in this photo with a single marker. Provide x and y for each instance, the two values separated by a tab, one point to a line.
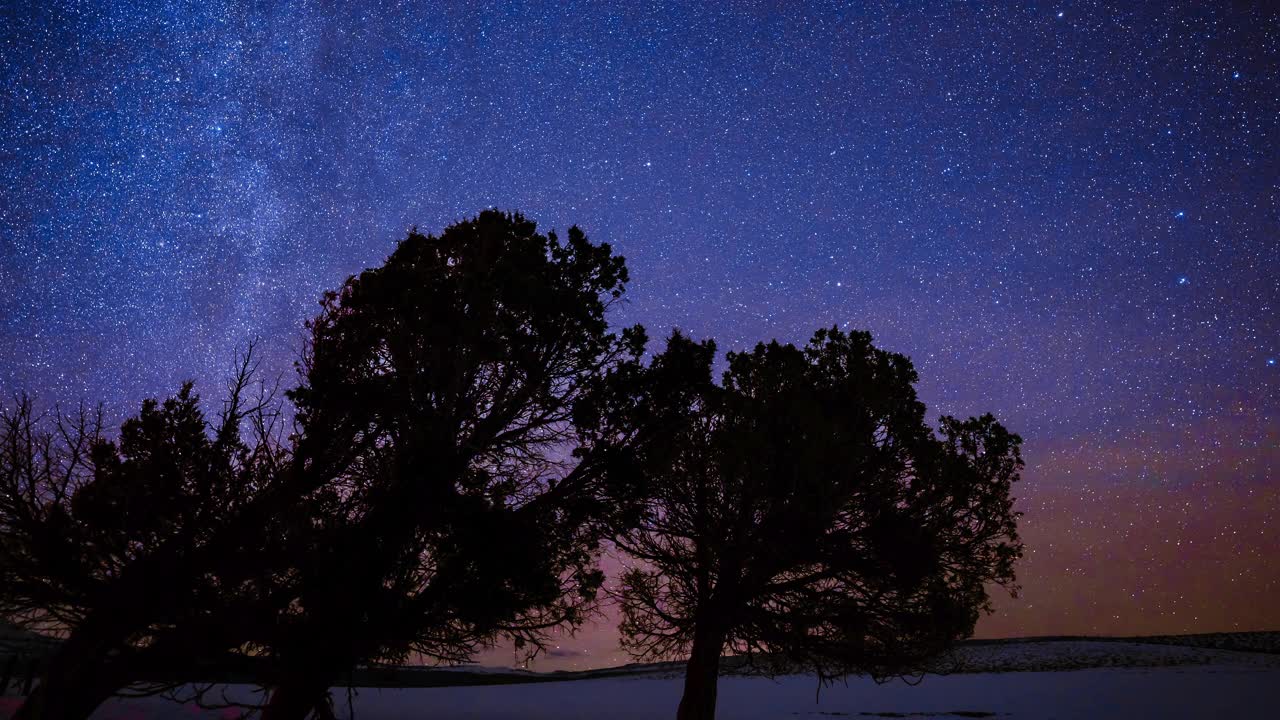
1133	681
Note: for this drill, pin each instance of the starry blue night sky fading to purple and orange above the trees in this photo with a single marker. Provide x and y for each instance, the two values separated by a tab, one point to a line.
1067	215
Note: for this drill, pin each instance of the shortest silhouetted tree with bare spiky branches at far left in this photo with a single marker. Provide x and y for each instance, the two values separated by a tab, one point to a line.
115	543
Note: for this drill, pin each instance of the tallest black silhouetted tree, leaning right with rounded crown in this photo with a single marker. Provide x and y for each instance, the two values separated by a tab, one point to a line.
469	503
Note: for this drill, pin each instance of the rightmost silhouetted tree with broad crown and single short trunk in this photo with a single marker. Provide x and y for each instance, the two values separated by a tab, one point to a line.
803	514
